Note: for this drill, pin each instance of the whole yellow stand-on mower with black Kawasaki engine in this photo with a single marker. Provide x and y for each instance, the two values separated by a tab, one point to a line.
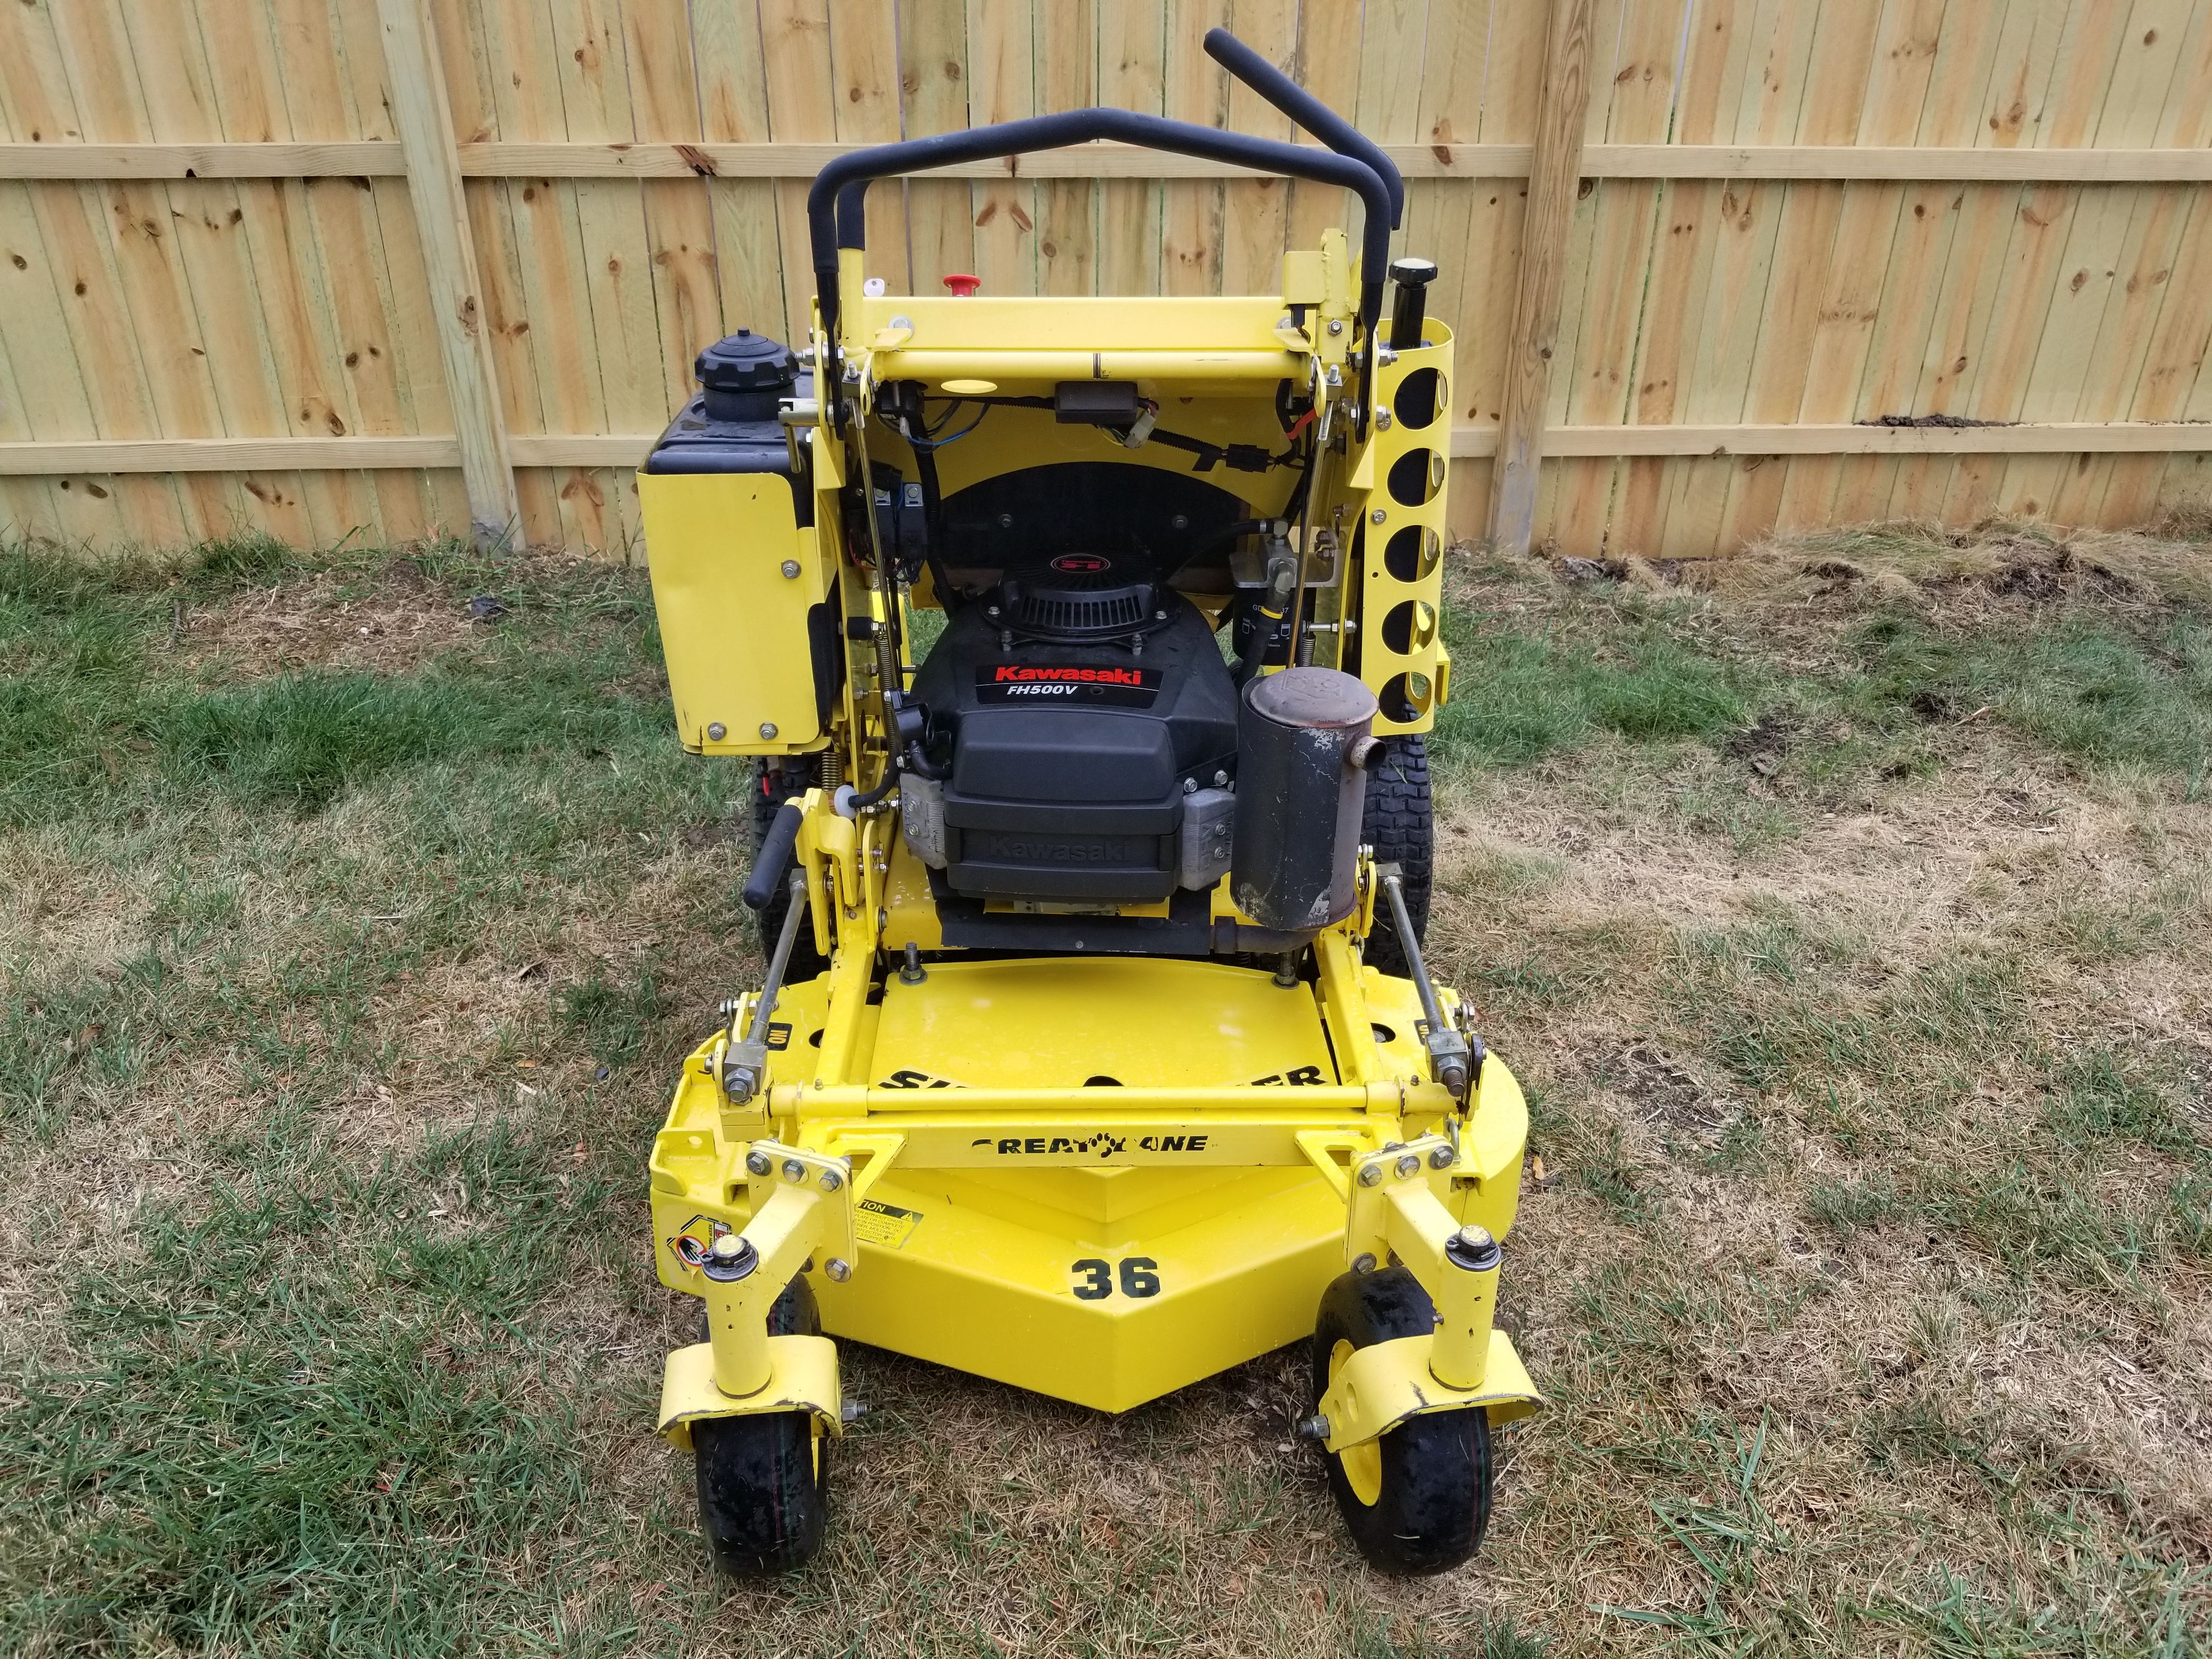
1096	1052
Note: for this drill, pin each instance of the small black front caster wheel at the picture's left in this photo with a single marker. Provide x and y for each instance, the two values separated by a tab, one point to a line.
764	1481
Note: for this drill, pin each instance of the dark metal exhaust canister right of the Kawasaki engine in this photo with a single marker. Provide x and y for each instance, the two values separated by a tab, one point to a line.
1302	744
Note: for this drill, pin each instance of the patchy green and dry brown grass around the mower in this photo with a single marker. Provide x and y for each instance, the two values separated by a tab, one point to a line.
1850	935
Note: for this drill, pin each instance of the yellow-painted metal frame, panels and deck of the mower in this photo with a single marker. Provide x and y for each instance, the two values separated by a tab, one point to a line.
1094	1178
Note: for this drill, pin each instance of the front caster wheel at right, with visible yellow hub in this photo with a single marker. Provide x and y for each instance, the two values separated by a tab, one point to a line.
1419	1499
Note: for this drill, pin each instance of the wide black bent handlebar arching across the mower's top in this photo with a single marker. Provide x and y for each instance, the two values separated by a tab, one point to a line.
837	198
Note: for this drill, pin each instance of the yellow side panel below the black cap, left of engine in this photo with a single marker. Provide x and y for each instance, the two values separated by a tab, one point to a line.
733	583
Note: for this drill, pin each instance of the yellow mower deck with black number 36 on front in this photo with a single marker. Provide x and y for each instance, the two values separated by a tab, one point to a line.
1147	1220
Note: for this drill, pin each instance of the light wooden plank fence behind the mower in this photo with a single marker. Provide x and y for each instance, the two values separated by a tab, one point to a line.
379	267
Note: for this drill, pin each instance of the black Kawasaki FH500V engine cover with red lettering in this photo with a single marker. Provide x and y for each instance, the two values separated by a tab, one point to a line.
1074	764
